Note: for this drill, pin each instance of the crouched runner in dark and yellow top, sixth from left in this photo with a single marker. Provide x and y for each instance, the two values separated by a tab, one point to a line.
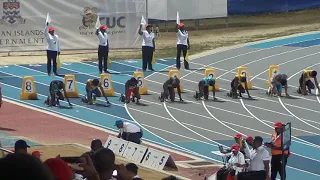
236	85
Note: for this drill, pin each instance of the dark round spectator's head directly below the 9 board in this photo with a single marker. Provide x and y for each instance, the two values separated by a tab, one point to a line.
104	160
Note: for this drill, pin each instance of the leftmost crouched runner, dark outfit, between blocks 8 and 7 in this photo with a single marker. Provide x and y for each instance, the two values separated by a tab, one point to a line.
55	89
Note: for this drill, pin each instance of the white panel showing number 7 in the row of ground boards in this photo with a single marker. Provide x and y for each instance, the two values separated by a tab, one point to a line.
135	152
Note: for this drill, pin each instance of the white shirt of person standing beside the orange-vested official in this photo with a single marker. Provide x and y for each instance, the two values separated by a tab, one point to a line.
257	158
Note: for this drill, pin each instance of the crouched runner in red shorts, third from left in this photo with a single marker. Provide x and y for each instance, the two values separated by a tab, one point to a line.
131	88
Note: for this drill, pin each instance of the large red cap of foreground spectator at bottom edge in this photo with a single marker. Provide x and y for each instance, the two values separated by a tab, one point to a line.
59	169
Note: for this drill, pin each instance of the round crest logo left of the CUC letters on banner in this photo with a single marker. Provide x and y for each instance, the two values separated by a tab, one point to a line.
89	18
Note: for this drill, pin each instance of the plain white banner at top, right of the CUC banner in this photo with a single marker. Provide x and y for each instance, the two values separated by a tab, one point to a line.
188	9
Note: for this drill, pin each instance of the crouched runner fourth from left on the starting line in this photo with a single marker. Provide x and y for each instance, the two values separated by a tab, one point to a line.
168	89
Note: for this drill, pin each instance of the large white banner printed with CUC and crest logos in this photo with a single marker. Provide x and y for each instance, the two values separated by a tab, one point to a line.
22	23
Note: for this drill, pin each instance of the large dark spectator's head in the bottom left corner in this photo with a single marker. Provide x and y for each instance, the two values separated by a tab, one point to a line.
22	166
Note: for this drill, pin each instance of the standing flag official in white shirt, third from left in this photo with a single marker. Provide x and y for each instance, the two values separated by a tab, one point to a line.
148	47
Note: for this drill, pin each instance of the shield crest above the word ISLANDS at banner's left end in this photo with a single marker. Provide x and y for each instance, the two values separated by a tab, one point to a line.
11	13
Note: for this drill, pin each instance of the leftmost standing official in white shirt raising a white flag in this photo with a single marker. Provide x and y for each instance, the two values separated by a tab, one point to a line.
53	49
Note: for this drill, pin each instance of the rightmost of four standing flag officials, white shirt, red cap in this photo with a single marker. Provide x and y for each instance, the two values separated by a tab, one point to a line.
182	45
